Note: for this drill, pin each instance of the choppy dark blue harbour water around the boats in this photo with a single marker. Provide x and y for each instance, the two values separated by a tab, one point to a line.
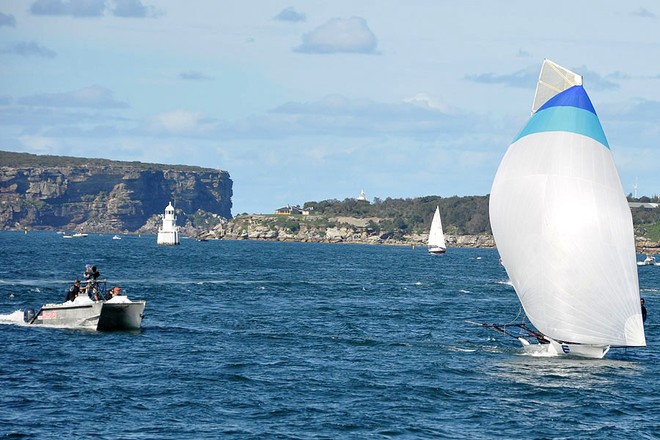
251	340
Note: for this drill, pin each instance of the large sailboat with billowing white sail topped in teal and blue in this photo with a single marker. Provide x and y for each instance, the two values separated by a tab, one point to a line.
563	228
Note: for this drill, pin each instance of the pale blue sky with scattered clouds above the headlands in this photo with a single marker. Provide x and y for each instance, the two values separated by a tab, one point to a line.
314	100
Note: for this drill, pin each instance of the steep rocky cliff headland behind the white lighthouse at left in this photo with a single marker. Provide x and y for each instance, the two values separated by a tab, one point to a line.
53	192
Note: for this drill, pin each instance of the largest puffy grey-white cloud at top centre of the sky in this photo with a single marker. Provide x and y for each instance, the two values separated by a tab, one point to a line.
350	35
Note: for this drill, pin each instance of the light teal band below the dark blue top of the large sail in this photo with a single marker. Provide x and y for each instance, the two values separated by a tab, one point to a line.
570	119
